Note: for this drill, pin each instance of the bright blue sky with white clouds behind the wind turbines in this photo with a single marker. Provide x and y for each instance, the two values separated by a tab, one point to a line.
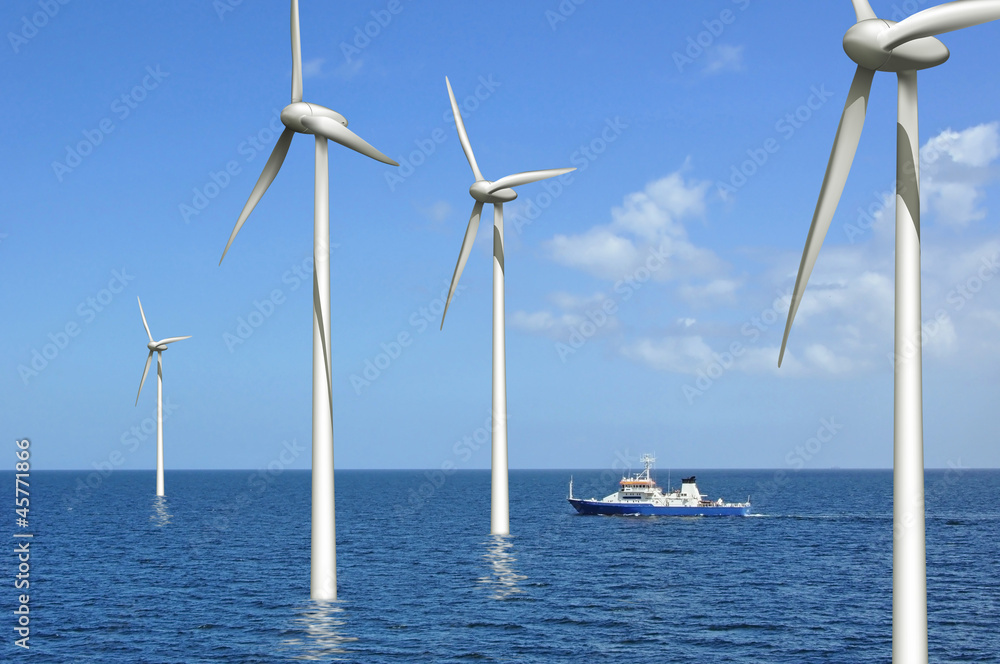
646	293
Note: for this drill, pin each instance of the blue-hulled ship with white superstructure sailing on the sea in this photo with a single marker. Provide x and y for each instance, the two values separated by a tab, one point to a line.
639	495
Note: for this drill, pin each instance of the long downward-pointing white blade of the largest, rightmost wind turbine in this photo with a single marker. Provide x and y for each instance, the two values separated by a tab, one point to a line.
845	144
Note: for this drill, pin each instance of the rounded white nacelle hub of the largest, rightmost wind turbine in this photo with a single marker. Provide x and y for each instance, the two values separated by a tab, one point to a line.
862	44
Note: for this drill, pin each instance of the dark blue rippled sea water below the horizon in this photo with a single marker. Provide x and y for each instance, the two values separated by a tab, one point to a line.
218	571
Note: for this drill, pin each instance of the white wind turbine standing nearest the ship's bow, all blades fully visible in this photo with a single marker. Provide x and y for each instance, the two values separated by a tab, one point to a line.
497	193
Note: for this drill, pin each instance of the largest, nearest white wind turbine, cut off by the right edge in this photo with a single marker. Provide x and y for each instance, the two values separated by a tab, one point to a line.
902	48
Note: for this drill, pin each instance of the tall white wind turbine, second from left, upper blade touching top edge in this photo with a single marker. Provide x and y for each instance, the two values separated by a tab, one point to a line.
325	124
